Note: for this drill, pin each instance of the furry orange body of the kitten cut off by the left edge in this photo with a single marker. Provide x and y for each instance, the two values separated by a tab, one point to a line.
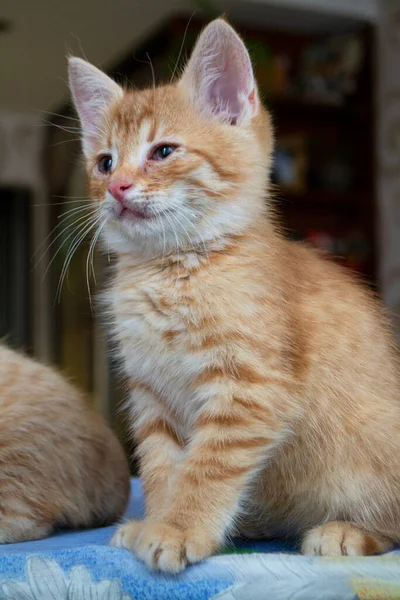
60	465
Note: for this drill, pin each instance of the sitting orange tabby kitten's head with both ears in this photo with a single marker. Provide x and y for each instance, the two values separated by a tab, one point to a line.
180	164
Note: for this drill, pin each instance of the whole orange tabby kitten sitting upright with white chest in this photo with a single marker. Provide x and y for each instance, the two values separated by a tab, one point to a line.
263	387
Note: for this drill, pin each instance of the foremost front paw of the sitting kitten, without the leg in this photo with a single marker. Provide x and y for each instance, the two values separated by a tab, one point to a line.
166	548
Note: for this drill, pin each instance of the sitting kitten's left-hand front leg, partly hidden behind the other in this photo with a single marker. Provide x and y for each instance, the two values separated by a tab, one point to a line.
159	451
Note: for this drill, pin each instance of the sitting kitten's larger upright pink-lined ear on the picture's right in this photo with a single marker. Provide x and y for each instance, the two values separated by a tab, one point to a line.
219	76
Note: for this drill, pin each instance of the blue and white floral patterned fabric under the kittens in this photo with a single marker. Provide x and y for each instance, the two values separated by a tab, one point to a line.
81	566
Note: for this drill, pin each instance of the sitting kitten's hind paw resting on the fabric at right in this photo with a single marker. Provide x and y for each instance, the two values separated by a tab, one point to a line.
338	538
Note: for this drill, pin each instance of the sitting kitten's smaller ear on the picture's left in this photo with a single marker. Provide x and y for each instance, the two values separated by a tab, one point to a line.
92	92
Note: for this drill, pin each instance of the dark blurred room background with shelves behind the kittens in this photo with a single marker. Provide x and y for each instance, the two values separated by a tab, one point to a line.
329	71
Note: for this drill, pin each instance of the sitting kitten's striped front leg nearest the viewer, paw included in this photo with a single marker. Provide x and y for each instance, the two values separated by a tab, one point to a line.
225	452
